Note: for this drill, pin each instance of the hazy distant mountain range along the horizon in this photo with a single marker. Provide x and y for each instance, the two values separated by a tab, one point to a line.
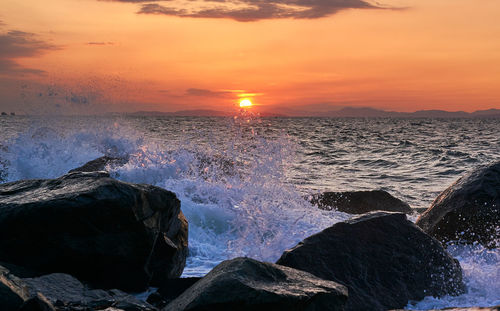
347	112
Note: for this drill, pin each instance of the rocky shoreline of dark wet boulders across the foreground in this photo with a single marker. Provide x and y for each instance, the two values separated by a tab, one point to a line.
85	241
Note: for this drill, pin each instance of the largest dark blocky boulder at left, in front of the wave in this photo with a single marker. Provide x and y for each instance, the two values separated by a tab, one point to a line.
109	233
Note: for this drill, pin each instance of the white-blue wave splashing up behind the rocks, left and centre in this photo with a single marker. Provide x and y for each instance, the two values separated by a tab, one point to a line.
234	196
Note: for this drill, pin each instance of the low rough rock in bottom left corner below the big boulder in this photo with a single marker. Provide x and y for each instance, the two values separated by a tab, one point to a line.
61	292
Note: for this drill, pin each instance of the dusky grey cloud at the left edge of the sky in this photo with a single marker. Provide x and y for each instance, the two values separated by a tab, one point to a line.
16	44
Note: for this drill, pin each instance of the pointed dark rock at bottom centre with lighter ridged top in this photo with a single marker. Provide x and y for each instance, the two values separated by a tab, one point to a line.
247	284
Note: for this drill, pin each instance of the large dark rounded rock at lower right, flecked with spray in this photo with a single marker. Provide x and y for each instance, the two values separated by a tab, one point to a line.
382	258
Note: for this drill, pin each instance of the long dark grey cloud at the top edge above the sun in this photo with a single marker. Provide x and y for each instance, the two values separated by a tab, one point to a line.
253	10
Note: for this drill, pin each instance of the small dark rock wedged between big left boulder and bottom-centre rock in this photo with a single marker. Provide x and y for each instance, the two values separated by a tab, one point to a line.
169	290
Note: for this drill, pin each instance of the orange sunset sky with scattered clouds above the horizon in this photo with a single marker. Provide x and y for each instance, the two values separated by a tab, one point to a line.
91	56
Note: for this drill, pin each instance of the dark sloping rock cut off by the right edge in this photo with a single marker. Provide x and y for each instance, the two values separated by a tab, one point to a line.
469	210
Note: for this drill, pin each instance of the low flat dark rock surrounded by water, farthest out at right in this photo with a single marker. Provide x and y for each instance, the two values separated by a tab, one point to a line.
359	202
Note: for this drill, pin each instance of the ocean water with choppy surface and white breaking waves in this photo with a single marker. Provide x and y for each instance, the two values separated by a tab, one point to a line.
244	181
